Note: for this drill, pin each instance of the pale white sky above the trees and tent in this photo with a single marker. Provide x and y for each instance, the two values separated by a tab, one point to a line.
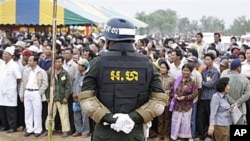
227	10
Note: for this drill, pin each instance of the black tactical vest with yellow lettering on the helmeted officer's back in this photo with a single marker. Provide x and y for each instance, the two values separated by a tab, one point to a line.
123	81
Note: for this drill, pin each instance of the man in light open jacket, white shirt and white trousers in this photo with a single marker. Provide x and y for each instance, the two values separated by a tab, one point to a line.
33	86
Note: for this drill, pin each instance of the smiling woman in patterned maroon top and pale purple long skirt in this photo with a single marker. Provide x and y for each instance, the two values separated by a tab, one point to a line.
185	90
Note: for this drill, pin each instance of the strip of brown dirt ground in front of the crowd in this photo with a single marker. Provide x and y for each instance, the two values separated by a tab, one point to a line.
18	136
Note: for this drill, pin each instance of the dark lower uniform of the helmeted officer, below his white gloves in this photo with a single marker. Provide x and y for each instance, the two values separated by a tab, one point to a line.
105	133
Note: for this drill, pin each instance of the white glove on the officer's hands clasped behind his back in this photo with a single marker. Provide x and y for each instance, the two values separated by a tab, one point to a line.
123	123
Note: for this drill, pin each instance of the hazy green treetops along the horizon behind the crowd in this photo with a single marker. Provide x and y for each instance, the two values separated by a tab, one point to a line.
168	22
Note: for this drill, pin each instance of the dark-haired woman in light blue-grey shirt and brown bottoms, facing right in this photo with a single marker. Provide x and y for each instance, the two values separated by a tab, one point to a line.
220	118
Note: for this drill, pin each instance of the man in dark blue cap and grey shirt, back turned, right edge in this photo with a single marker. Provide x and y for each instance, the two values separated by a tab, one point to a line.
239	89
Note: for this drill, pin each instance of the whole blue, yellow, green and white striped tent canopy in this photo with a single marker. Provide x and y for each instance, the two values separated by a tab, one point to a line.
69	12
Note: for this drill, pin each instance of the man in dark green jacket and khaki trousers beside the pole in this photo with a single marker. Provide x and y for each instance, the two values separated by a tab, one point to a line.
62	93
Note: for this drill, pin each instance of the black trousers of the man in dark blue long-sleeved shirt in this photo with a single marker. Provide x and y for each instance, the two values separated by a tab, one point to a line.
202	120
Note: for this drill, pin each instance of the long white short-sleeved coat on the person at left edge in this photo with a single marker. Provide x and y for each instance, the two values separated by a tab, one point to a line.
10	72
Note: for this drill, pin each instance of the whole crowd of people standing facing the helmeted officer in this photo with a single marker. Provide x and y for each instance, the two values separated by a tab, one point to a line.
204	81
